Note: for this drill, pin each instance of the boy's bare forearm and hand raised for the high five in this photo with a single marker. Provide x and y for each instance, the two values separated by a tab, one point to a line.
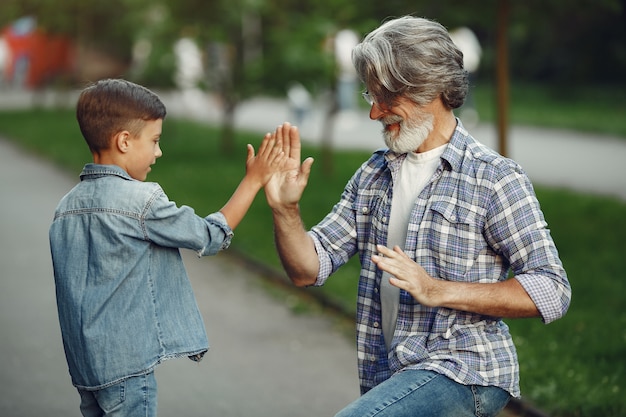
259	169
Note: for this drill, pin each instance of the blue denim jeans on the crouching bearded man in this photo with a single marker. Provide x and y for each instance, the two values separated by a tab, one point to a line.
413	393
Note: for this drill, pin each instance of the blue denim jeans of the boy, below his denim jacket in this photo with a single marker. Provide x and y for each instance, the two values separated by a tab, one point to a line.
133	397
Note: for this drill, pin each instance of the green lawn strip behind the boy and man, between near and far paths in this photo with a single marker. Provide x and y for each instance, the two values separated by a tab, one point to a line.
573	367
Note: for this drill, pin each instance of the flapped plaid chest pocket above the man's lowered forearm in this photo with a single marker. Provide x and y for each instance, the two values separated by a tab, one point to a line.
453	237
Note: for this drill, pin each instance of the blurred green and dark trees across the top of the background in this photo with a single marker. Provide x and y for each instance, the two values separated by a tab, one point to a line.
267	44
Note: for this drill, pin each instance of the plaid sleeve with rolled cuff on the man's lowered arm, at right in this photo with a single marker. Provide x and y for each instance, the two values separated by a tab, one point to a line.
516	228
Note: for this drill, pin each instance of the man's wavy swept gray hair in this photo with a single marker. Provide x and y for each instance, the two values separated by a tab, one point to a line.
411	57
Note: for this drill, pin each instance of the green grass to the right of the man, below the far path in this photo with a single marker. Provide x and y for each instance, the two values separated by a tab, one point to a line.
575	366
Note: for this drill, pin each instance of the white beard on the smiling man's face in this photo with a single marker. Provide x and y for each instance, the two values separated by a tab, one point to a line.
412	133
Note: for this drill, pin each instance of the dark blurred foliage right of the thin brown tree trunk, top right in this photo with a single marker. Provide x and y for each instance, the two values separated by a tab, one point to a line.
565	43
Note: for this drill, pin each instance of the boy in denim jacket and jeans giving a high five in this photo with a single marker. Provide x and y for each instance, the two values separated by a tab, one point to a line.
124	299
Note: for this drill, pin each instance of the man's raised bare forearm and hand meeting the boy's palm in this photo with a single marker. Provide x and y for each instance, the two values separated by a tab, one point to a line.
283	192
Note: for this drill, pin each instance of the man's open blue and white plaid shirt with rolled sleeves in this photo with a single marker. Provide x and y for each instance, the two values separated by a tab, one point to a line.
475	220
